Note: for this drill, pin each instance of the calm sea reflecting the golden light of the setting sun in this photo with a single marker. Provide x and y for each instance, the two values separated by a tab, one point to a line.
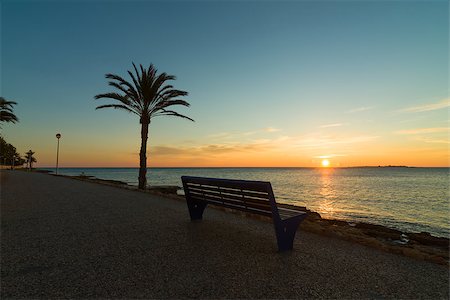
409	199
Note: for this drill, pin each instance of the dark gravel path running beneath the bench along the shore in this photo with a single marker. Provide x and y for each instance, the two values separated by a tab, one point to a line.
63	238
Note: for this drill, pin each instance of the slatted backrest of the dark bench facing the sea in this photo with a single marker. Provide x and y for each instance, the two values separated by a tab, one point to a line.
251	196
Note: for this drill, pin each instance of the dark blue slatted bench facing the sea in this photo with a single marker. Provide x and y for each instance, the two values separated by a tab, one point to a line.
248	196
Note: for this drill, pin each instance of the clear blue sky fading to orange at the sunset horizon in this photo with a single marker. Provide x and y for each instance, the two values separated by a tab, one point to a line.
271	83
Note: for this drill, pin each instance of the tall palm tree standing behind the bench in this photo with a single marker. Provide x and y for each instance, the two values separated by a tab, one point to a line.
147	96
